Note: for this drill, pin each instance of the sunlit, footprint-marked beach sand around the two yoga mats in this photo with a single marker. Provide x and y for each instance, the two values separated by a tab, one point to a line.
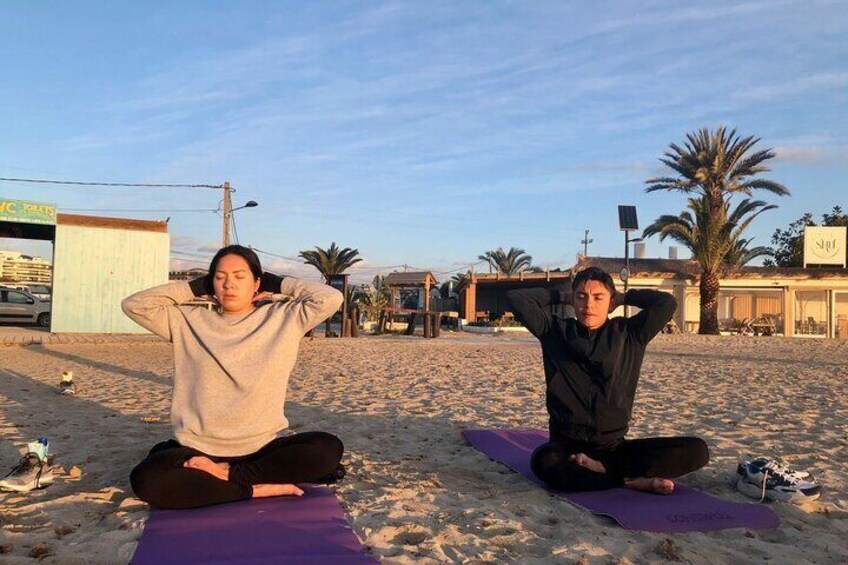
415	491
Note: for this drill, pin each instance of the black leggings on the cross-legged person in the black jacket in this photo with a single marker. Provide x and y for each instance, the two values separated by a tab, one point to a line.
665	457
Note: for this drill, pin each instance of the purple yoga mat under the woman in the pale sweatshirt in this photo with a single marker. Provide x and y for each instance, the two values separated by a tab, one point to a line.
293	530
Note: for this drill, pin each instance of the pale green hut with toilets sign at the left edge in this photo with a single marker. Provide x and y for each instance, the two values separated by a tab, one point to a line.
97	262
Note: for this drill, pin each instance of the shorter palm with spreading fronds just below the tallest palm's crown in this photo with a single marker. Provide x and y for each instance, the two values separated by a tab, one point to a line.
716	243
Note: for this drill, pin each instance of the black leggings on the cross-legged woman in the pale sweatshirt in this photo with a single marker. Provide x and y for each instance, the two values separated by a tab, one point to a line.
161	480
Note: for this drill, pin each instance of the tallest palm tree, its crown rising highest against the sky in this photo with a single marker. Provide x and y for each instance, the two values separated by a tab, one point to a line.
713	165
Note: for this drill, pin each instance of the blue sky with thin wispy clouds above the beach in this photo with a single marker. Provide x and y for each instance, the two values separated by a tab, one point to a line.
421	133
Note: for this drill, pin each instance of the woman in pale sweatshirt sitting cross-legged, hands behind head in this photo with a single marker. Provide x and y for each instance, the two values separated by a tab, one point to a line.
231	372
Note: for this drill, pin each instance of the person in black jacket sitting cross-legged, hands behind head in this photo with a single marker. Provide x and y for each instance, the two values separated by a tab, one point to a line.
592	366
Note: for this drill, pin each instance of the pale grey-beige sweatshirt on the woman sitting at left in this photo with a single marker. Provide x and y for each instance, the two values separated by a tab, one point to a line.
231	372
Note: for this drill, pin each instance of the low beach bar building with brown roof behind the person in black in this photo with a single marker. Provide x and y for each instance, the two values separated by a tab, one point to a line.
799	302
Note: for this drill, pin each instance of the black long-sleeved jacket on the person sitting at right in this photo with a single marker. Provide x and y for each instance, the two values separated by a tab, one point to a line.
591	376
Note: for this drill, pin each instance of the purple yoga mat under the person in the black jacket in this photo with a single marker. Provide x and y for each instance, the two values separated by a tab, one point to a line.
685	510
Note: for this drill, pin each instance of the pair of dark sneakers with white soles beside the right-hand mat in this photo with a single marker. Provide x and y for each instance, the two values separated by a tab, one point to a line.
763	478
